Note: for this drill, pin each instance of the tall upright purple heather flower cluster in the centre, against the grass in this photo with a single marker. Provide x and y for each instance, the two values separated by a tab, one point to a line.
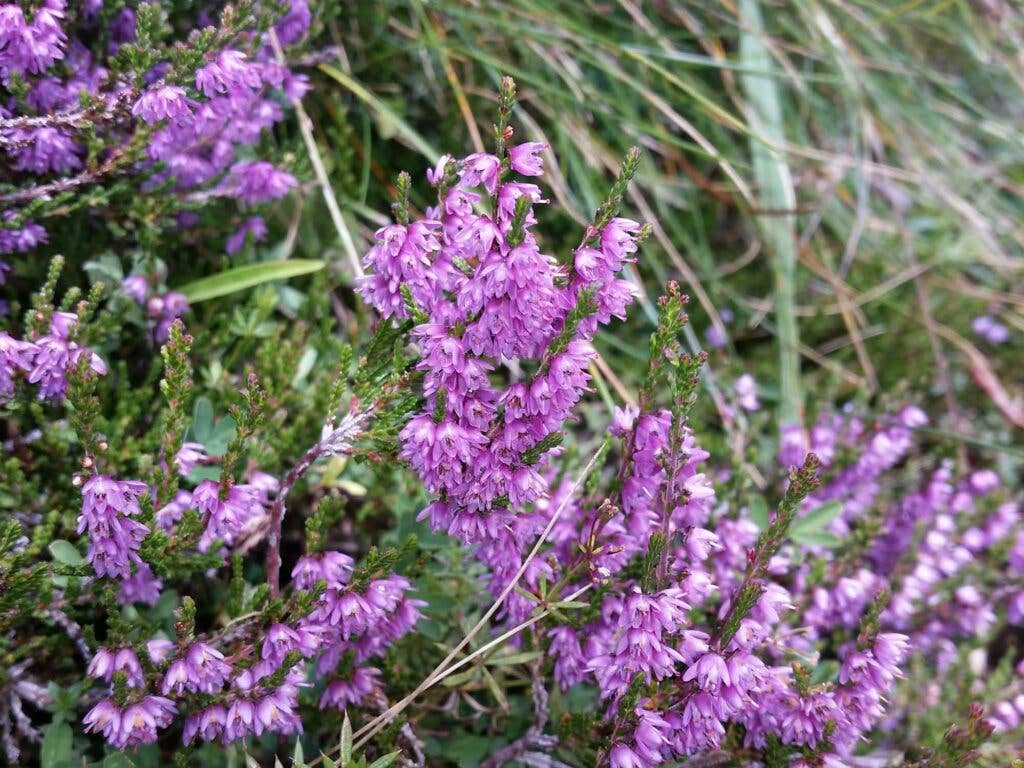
486	296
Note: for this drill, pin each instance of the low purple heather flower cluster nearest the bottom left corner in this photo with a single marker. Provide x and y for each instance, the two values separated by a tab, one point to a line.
218	698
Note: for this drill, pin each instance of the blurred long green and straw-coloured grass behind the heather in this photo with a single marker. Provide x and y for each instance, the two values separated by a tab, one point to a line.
837	184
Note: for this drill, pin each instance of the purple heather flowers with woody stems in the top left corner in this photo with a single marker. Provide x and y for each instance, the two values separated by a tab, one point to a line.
174	124
